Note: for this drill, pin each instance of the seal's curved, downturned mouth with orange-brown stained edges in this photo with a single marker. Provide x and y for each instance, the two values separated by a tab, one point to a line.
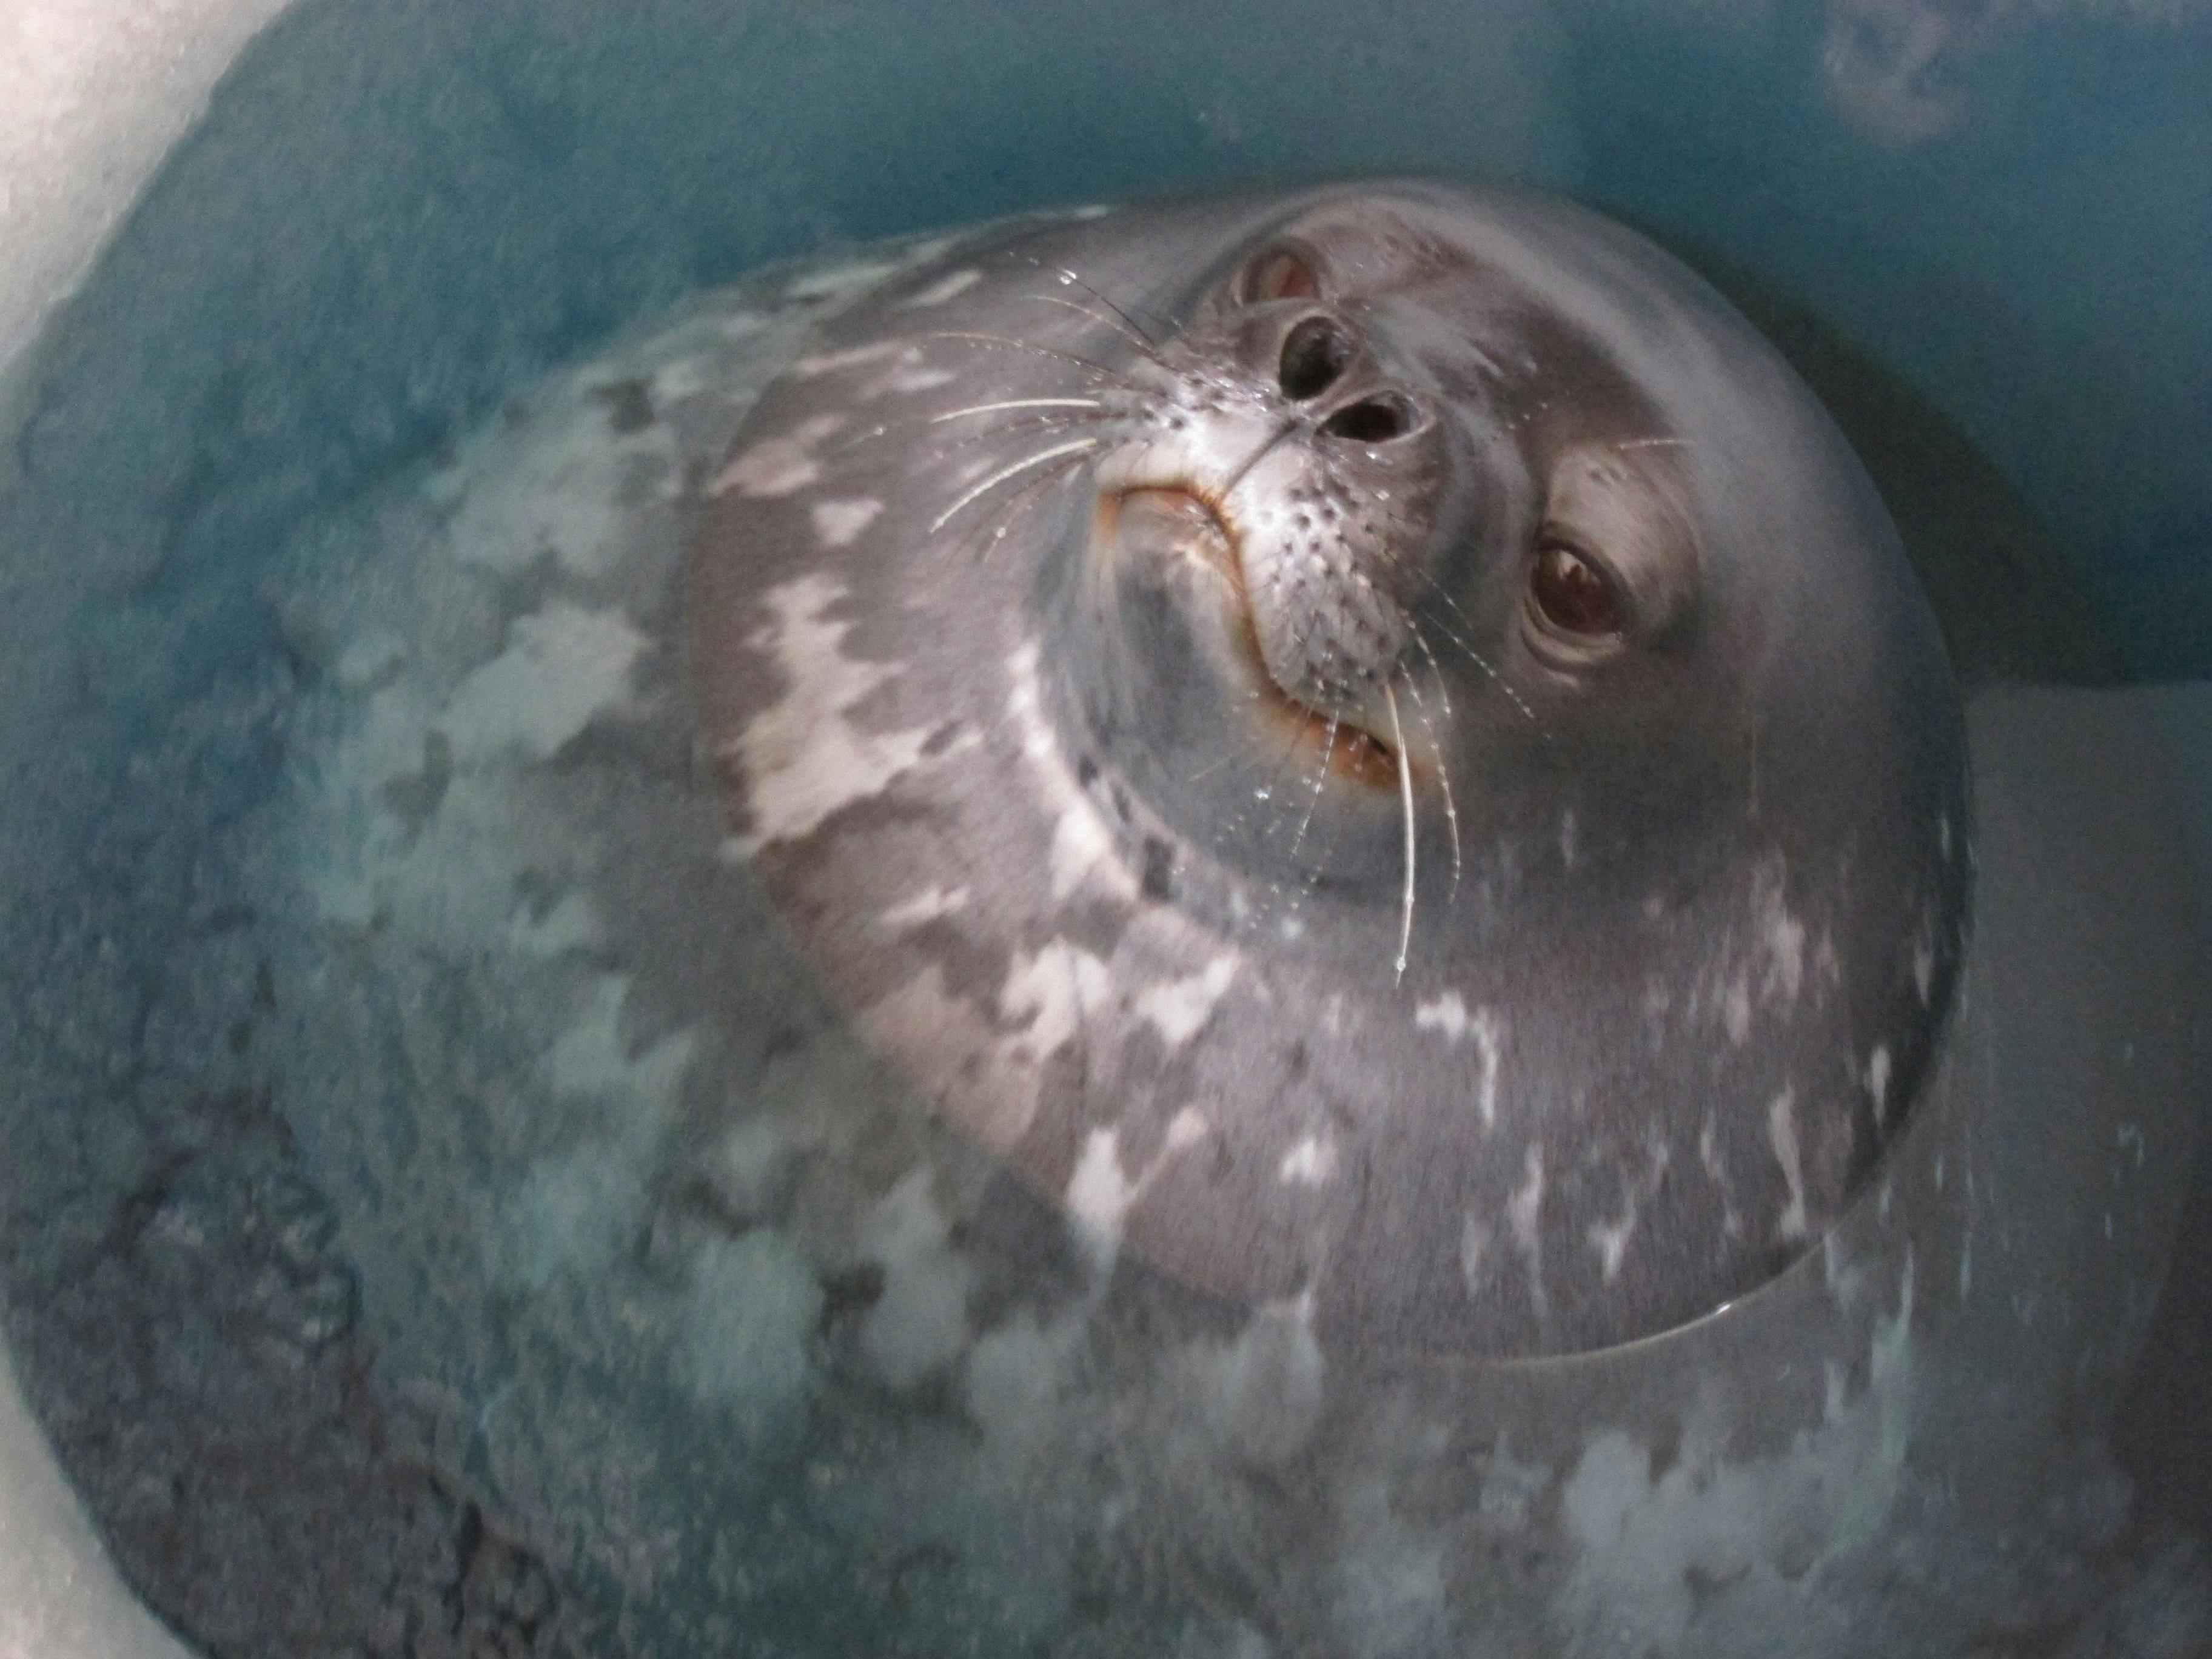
1185	521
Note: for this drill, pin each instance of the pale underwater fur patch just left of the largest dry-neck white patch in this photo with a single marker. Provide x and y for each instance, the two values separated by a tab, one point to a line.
561	669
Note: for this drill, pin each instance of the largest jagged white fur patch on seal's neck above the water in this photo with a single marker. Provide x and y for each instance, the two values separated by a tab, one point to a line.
804	758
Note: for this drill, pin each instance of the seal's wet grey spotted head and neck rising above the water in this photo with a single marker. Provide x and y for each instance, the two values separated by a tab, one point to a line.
1375	744
